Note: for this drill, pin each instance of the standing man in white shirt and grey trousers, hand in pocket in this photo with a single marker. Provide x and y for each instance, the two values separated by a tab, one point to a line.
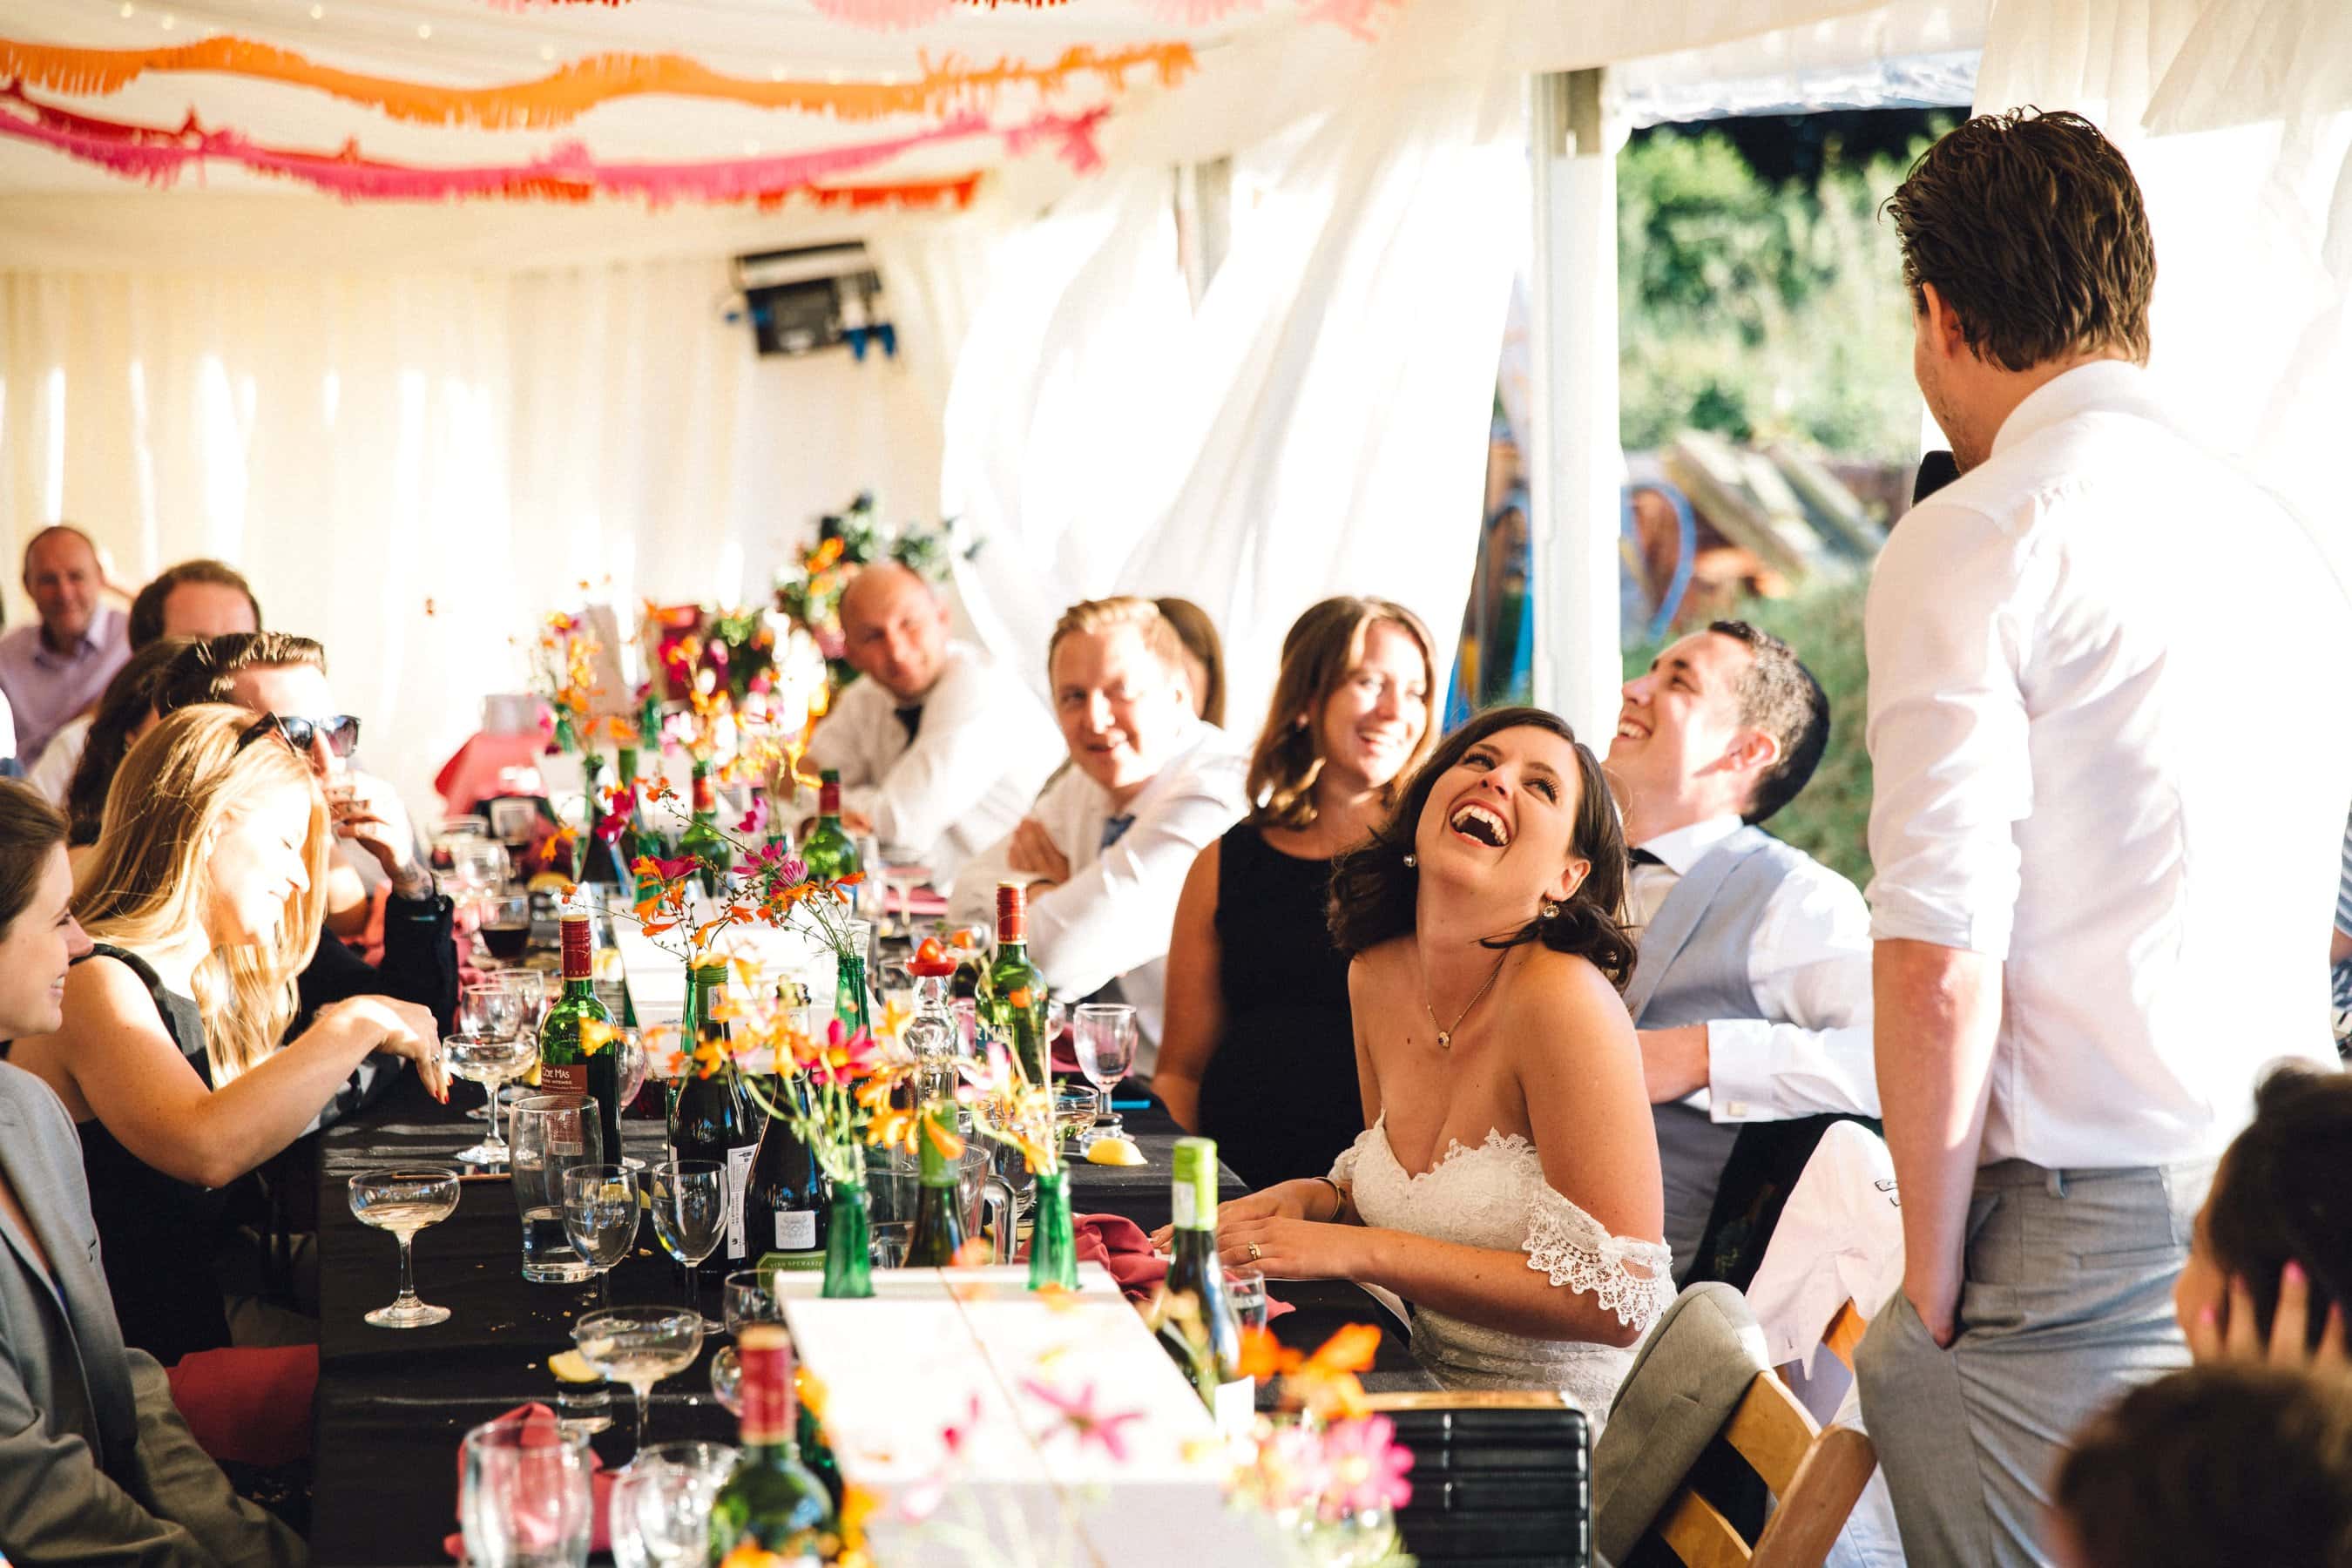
2104	838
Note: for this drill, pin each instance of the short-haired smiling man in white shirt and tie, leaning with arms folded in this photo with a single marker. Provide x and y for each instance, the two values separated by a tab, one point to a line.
1109	845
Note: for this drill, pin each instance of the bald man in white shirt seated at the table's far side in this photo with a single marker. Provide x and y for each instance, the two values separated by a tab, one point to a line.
940	749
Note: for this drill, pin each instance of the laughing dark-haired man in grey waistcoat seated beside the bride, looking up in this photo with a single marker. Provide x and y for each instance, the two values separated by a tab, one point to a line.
1753	981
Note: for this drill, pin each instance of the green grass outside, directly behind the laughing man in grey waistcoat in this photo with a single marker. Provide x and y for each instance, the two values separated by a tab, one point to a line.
1831	819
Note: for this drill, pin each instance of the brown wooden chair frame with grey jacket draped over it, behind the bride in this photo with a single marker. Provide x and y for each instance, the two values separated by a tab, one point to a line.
1815	1477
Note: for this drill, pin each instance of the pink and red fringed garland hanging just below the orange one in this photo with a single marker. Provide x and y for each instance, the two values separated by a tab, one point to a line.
568	173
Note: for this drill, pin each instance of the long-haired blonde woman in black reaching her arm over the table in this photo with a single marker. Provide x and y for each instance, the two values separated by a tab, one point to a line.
203	897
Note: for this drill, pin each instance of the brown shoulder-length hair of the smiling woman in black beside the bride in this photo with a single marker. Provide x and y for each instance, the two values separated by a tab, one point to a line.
1318	655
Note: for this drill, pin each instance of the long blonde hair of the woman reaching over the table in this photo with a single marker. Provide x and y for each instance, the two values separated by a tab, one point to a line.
149	876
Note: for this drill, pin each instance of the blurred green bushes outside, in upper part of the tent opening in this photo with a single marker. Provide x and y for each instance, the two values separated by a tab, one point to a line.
1760	311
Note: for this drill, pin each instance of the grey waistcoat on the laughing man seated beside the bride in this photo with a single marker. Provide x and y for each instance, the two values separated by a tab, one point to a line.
1695	970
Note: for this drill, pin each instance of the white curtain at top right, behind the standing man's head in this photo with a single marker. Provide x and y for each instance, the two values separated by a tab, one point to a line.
2238	121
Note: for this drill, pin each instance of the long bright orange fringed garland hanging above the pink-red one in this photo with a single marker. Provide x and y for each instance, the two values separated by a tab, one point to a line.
566	95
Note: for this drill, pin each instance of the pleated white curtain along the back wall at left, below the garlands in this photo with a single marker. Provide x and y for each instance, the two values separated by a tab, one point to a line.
415	467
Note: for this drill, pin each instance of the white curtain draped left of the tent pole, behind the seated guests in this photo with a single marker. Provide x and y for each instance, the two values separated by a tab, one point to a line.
1318	427
